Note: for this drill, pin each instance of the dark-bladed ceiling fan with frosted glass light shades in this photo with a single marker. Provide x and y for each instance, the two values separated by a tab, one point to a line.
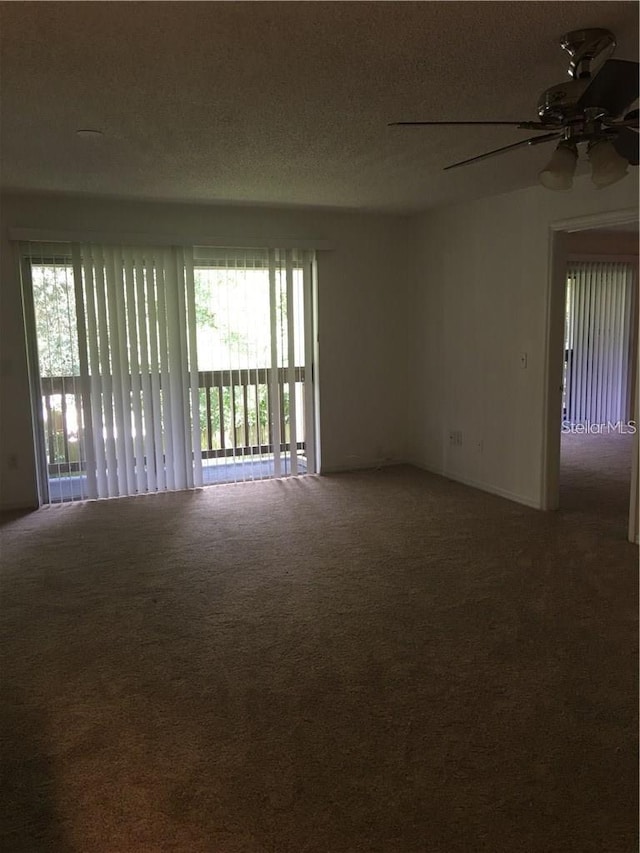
592	107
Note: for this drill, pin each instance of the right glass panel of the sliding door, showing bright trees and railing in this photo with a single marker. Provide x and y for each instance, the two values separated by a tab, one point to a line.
254	357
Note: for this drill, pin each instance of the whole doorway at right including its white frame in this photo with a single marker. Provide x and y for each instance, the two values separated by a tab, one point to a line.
592	433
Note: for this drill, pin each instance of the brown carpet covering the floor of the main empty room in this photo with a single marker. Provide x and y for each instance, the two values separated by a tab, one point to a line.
381	661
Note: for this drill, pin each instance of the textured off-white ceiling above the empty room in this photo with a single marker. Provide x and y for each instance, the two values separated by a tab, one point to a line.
281	103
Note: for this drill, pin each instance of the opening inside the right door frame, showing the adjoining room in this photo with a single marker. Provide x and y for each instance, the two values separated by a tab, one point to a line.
597	401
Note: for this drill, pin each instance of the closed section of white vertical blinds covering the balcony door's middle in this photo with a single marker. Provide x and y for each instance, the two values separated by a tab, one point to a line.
136	335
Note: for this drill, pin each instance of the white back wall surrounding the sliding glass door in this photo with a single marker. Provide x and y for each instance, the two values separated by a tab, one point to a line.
362	321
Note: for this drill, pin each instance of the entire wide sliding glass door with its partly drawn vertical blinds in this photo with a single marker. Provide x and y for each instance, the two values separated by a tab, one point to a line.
169	367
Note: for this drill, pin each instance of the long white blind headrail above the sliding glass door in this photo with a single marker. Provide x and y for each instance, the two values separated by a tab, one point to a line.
39	235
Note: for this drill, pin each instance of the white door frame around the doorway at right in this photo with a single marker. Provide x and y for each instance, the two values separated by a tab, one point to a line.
556	289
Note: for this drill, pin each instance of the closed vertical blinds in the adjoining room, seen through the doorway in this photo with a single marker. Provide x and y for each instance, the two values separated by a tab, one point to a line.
597	341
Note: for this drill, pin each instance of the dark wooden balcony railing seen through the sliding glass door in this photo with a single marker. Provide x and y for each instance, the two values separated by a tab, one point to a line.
236	415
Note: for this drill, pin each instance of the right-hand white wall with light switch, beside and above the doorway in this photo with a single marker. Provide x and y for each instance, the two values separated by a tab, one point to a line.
478	289
